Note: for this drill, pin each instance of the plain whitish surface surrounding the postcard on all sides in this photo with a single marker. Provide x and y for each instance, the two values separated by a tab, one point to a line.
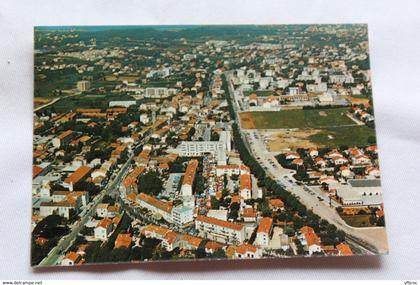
394	32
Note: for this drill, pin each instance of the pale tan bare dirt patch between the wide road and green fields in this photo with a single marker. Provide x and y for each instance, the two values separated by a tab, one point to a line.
284	140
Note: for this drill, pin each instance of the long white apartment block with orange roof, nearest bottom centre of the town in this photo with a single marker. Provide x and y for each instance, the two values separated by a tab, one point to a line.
219	230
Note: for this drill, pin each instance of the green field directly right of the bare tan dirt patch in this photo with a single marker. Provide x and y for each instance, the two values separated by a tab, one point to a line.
352	136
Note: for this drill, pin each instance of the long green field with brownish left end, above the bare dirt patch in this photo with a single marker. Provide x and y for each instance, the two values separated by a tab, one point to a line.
288	119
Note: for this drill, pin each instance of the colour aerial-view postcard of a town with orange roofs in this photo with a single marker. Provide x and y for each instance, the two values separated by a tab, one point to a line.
175	143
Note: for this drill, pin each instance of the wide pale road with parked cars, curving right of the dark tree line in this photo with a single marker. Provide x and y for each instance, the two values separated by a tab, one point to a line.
368	240
